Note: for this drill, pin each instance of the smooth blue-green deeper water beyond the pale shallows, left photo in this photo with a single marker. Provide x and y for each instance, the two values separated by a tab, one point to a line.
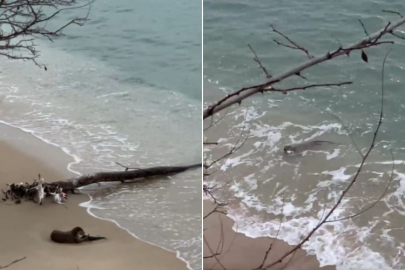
155	43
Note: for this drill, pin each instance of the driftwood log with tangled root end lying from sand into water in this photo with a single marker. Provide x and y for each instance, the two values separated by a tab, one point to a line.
40	189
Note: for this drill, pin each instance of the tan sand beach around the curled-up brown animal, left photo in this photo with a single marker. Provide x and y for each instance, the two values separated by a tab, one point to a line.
25	228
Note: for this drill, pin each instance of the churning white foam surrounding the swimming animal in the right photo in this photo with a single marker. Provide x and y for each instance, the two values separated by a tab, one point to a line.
346	244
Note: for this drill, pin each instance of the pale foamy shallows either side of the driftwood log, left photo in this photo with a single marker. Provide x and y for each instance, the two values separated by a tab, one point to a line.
51	109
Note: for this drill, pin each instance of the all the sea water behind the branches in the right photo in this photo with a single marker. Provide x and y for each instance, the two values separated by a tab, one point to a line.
260	176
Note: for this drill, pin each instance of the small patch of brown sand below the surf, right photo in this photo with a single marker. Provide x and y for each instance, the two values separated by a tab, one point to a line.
242	253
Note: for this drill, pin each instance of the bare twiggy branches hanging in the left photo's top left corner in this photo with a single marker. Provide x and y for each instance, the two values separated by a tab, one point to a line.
28	19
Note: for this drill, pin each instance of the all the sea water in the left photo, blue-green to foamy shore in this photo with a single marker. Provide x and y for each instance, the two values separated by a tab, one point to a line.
126	87
